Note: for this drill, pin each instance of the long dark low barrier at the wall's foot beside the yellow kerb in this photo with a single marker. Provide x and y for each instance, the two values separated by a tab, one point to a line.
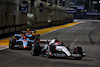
9	30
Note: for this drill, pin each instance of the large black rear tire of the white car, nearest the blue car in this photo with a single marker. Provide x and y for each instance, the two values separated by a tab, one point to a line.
35	50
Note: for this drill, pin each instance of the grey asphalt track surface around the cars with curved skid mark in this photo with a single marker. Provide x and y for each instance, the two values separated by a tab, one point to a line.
86	34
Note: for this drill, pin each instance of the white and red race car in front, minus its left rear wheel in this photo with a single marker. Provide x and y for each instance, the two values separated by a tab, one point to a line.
55	48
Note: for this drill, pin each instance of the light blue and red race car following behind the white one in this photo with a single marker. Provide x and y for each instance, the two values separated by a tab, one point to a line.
23	40
